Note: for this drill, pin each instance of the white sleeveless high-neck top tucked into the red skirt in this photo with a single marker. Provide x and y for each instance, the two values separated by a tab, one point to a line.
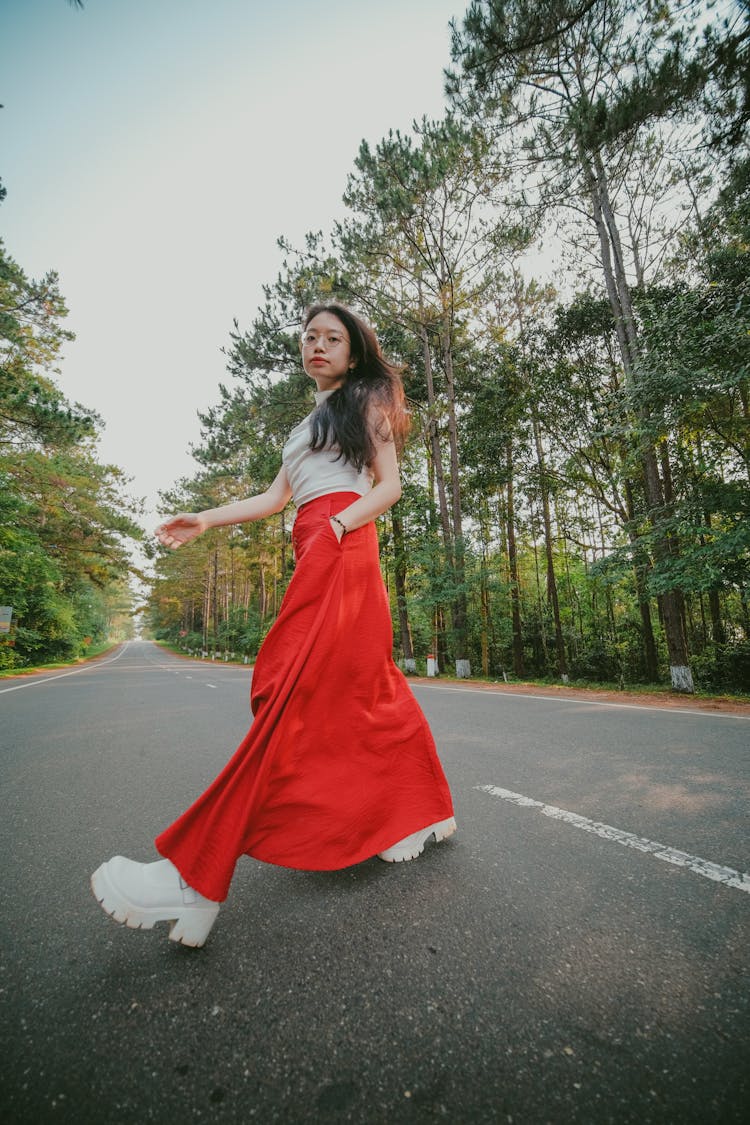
314	474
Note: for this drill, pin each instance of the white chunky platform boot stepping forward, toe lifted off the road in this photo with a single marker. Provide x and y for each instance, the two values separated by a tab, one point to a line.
139	895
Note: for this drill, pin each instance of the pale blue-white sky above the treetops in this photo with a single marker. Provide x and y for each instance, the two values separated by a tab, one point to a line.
153	151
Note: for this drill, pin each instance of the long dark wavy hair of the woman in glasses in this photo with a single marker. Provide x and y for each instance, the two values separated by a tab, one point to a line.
372	391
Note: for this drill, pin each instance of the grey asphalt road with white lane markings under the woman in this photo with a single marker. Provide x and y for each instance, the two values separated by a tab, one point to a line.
549	964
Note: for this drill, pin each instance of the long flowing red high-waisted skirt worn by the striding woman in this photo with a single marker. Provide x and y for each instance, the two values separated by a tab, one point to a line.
340	762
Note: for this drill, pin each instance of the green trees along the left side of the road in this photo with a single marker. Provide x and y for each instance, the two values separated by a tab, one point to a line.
66	523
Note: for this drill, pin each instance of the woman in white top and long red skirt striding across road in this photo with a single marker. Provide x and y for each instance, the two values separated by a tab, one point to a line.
340	763
